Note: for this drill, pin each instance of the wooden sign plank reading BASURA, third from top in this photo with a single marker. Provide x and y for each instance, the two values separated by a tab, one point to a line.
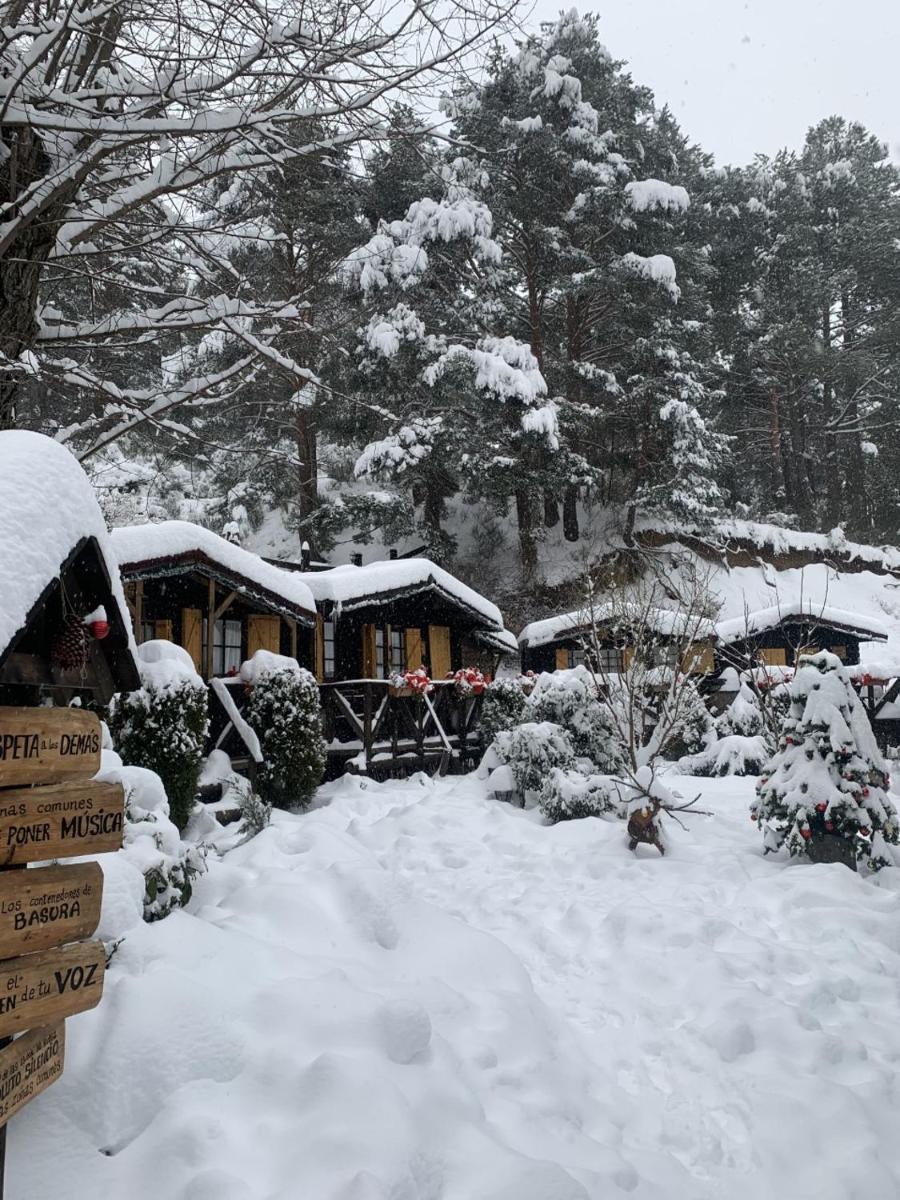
49	907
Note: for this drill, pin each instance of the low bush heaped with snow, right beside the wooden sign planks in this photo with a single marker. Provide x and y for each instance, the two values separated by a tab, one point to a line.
152	842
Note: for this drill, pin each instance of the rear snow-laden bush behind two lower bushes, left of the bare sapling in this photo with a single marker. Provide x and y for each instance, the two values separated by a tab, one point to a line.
571	699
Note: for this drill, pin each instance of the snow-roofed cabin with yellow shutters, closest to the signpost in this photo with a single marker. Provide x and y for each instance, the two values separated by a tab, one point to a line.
183	581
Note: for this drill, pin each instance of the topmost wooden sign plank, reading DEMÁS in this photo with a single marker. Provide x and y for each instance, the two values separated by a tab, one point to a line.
39	746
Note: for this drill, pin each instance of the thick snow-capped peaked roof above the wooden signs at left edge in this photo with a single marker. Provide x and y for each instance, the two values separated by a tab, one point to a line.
47	508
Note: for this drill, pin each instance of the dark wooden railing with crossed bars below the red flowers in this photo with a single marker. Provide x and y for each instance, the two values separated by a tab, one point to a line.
373	729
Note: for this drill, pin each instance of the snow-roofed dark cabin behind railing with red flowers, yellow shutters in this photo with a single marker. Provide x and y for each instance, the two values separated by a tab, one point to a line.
403	614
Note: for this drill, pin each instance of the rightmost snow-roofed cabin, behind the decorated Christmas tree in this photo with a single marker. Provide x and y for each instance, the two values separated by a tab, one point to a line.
778	637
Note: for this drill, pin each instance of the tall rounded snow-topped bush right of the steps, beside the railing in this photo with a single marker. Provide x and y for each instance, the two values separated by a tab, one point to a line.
284	710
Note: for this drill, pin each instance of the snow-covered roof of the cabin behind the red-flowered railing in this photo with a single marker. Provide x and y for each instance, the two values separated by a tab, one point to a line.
351	587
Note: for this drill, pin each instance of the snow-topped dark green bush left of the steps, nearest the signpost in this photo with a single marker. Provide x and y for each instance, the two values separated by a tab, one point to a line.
163	727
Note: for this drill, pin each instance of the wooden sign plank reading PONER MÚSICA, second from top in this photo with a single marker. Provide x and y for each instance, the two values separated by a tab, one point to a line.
62	821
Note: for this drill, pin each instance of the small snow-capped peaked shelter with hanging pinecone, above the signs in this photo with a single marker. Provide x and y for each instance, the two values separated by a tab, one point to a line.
64	623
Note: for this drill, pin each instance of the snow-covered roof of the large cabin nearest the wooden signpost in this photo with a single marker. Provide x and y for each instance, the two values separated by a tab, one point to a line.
140	549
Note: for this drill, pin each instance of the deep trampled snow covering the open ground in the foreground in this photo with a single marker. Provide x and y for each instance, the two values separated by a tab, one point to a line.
416	994
